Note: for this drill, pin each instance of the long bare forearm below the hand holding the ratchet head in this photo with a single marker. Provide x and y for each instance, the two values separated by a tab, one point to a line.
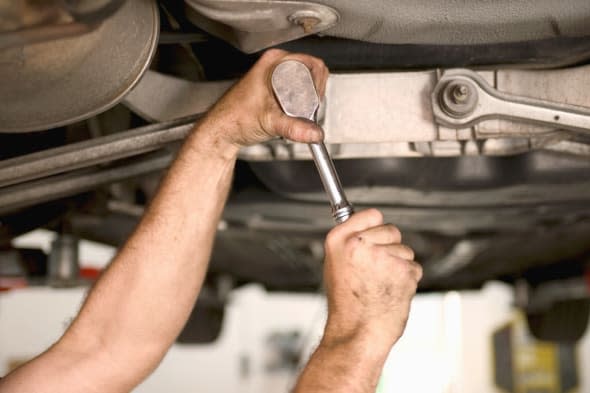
138	307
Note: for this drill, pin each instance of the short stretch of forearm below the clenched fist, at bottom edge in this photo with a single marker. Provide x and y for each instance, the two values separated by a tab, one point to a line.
343	365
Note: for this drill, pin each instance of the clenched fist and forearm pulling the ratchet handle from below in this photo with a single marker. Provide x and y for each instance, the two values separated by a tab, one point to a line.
370	280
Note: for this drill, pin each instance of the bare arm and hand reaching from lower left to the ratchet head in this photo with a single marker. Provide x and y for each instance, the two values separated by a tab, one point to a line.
139	305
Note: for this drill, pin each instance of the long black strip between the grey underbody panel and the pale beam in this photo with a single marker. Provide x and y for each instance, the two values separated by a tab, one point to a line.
351	55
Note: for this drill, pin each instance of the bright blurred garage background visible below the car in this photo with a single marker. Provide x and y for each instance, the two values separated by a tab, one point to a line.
455	342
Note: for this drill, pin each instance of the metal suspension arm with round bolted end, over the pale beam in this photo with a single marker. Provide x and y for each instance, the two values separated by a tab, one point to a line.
462	98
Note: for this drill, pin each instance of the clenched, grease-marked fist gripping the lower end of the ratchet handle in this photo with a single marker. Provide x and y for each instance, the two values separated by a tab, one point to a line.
370	280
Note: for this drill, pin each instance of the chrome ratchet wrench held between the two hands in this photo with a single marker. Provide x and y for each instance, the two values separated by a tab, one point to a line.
295	91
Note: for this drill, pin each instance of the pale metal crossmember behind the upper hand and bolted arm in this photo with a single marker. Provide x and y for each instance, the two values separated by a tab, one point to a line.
390	114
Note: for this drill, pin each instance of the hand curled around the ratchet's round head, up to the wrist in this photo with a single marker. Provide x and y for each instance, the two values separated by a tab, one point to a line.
249	113
